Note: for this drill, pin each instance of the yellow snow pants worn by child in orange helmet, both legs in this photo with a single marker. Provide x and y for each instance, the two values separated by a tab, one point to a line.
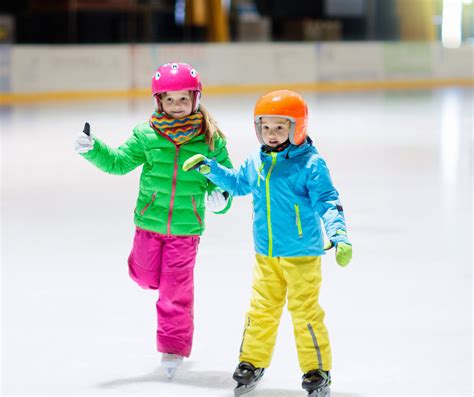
273	278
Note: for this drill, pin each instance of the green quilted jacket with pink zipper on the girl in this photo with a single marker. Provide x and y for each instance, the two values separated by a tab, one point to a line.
170	201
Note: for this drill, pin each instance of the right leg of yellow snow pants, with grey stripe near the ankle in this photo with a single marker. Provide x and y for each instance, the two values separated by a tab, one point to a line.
303	275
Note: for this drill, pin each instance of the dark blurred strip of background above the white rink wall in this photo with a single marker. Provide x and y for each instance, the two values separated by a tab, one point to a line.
148	21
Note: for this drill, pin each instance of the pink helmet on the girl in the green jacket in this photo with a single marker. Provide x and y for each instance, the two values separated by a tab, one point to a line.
176	76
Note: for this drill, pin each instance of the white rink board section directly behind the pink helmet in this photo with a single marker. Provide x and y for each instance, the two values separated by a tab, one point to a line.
231	65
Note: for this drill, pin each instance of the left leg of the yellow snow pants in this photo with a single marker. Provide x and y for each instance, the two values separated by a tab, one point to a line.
263	317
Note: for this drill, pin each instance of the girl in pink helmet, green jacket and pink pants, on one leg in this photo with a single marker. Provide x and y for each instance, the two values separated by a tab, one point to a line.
169	213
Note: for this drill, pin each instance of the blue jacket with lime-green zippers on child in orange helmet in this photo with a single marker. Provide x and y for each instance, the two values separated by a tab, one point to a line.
292	191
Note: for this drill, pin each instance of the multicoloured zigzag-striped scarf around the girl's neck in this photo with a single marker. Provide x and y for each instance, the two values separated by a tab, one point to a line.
178	130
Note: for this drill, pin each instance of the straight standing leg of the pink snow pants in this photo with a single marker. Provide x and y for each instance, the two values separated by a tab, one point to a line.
175	306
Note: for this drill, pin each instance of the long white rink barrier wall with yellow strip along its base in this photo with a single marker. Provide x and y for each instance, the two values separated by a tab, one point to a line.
40	73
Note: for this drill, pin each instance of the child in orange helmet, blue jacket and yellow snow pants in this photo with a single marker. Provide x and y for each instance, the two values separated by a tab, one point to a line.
292	192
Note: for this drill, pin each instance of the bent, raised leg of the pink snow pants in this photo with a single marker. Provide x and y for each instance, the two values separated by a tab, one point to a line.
144	262
